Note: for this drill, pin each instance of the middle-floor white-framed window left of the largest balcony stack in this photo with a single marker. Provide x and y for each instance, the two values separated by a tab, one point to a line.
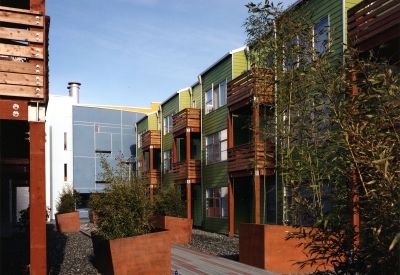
217	146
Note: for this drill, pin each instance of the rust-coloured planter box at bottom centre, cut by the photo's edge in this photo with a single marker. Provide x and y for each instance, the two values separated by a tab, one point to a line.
144	254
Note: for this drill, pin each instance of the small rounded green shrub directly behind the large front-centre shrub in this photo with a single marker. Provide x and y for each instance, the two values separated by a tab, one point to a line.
167	202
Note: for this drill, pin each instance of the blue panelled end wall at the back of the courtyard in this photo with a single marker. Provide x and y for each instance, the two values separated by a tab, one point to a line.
100	129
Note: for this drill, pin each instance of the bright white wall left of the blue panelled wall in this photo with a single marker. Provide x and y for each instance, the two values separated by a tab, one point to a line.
58	122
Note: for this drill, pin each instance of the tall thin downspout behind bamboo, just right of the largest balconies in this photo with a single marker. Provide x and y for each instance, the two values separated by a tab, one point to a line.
276	140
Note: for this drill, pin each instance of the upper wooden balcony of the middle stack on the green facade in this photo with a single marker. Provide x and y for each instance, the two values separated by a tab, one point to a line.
187	118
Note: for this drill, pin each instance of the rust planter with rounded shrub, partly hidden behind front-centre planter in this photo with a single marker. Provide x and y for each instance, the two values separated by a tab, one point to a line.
169	212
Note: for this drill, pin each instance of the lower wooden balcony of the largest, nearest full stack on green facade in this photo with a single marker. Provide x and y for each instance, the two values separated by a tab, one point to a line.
243	159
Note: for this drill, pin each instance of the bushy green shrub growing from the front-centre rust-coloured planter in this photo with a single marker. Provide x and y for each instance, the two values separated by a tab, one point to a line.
122	208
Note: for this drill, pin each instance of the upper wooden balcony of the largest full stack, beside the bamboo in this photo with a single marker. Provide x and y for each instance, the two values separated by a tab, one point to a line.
255	84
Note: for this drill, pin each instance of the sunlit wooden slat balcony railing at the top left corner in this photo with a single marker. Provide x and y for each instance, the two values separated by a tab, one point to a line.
23	53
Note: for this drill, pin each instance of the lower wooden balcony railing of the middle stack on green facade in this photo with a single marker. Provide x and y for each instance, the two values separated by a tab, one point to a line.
186	170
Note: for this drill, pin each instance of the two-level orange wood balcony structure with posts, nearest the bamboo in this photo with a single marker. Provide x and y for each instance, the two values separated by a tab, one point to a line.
255	158
